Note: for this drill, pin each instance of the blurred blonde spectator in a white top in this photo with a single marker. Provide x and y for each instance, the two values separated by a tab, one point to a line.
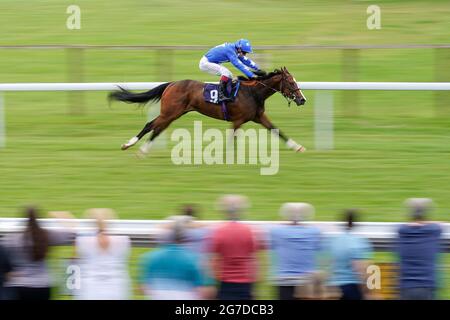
103	261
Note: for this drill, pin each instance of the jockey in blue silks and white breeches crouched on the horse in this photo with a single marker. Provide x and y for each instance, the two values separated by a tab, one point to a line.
235	53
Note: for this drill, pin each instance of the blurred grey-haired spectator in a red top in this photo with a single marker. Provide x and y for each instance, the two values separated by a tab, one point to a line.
233	247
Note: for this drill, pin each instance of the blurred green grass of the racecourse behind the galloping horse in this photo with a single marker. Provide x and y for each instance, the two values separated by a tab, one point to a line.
62	149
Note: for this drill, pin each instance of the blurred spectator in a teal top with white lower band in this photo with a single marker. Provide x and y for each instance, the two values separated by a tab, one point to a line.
172	272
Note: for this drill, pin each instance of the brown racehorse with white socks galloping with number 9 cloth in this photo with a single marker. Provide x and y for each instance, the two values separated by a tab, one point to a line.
180	97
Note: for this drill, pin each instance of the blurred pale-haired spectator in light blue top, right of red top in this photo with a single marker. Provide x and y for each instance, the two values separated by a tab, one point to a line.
295	247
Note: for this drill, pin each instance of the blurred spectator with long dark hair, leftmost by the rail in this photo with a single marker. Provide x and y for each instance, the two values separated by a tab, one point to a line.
28	250
